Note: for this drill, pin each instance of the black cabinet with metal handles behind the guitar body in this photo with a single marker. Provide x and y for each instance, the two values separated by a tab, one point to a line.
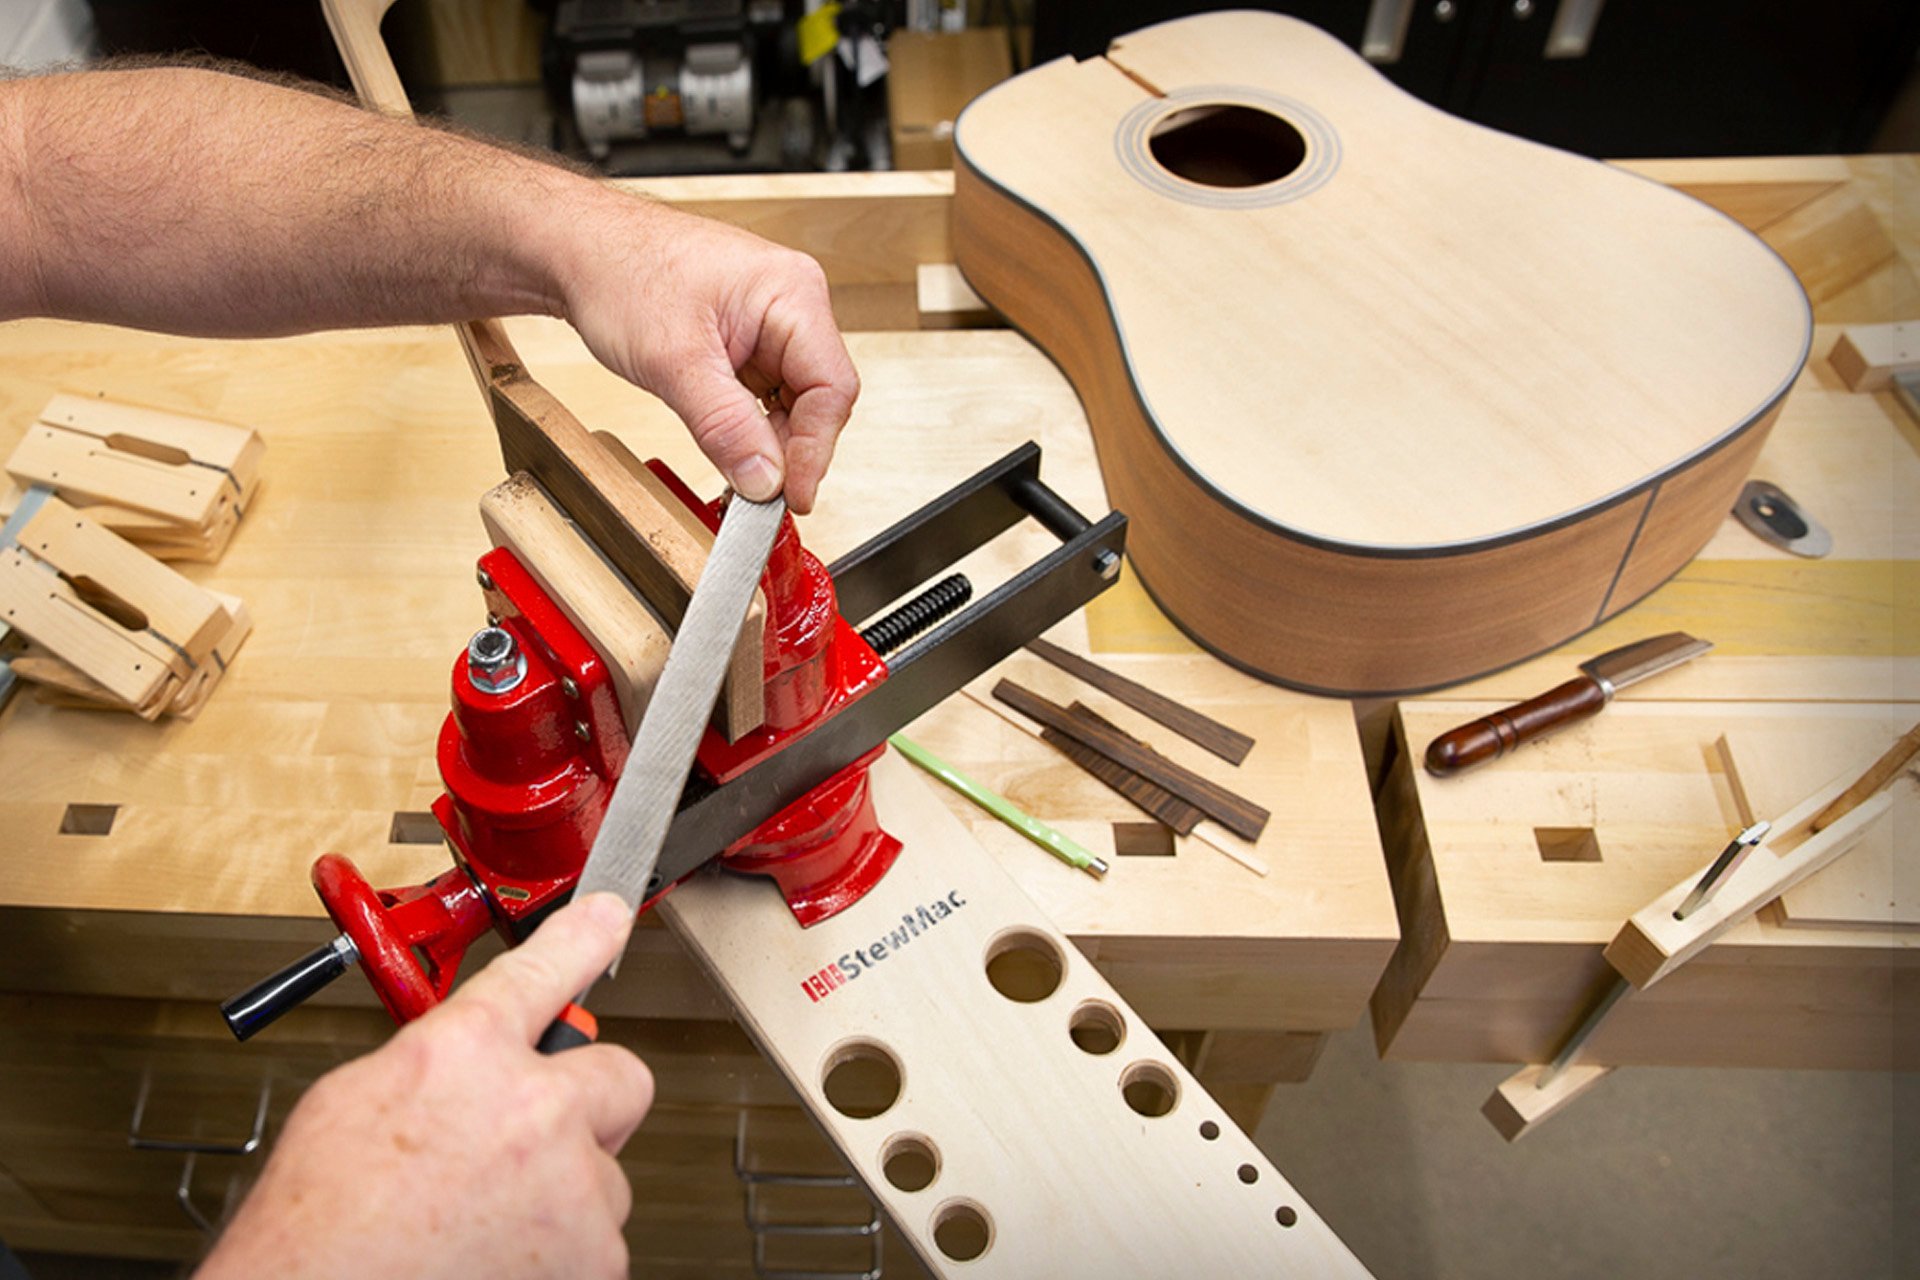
1604	78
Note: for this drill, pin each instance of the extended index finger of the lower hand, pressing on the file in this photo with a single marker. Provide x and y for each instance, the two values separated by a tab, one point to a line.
531	984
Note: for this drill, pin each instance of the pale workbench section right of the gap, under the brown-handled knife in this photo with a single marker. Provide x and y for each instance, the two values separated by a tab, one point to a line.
1512	880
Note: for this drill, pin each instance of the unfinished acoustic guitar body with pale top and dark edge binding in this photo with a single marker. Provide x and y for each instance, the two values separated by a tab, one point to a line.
1391	400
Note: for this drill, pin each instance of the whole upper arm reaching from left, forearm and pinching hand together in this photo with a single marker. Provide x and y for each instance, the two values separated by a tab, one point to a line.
208	204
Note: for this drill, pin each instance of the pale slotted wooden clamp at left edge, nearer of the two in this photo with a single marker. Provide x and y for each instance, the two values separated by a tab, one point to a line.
108	623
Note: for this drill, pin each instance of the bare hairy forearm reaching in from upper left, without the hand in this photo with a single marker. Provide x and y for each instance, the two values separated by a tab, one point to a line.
212	204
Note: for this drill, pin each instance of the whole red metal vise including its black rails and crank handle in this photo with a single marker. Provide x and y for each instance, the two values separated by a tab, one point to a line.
539	738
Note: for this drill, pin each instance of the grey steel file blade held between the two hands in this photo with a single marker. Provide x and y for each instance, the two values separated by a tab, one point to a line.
635	828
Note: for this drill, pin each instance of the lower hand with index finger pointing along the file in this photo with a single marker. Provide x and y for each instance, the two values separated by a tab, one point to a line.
456	1150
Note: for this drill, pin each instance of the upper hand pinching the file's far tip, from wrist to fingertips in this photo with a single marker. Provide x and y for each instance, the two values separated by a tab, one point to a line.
736	335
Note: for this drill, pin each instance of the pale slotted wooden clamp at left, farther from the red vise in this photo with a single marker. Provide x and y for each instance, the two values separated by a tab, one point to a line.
172	485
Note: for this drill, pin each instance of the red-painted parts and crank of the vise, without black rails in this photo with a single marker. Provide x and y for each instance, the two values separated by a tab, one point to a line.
531	755
